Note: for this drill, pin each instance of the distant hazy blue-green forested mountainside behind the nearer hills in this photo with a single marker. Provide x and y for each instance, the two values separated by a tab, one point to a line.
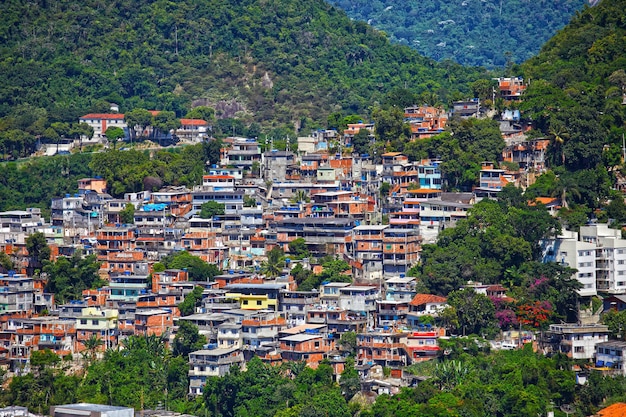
472	32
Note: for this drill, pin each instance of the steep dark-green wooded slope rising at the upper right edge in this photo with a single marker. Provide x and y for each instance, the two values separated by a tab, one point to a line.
577	83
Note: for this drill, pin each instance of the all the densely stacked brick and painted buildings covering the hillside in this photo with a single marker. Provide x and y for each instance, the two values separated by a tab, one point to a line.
271	198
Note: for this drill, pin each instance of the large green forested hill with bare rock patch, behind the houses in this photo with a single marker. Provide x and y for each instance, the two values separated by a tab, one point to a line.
286	61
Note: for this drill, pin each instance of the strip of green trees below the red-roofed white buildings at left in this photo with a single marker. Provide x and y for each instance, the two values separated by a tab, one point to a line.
34	182
